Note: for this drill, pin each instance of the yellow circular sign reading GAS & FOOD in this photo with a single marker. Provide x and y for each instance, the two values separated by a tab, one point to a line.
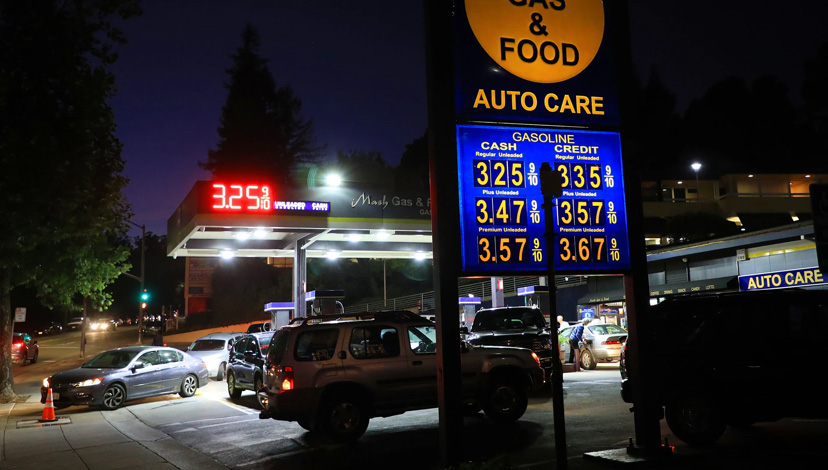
543	41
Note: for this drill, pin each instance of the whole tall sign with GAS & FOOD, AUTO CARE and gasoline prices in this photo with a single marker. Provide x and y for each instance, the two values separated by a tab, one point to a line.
528	65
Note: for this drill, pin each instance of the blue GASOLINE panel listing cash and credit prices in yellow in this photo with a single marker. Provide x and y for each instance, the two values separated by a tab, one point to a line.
501	219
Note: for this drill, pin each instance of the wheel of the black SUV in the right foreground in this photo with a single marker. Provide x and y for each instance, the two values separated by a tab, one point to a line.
695	420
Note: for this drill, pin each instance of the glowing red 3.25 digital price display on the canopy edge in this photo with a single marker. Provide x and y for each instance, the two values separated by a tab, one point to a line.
256	198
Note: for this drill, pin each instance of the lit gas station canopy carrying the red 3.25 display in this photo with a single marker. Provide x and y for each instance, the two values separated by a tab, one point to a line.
260	220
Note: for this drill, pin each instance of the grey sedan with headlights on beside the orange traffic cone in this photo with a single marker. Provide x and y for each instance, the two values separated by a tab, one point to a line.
113	377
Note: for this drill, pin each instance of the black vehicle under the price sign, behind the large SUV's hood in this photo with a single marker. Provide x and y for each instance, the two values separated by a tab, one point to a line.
520	327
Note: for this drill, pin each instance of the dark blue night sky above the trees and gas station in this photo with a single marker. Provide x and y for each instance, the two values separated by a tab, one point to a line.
359	69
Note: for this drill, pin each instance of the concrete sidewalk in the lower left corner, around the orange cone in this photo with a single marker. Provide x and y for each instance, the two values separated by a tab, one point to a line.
91	440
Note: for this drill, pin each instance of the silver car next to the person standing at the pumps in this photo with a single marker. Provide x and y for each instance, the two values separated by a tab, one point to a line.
602	343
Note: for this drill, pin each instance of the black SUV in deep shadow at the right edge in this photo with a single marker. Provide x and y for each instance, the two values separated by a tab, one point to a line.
735	359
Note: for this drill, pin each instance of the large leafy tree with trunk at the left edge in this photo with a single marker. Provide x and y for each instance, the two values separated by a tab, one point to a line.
62	211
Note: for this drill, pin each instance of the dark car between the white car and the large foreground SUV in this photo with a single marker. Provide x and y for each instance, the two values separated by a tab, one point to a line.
245	368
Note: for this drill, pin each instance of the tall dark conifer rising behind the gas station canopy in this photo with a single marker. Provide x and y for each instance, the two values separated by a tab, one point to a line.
262	132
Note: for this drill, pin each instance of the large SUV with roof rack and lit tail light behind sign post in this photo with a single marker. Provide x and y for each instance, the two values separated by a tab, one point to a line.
334	373
